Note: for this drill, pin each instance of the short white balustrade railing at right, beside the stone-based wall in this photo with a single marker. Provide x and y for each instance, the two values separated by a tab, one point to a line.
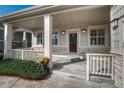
99	64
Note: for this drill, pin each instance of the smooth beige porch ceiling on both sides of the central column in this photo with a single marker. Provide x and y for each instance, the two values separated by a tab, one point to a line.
70	19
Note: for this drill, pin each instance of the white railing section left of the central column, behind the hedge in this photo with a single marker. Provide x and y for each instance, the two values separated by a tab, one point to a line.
24	54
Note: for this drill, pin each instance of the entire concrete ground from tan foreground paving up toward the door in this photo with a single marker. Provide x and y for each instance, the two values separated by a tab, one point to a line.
65	75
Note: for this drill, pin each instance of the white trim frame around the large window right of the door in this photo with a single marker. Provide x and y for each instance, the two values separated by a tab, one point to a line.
93	27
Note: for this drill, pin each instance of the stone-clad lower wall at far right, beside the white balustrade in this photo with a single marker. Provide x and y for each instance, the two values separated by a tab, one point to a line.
118	70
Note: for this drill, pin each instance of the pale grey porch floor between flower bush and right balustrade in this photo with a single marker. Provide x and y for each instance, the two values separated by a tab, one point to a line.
76	70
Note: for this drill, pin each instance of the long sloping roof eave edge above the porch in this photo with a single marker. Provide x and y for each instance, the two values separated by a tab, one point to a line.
42	10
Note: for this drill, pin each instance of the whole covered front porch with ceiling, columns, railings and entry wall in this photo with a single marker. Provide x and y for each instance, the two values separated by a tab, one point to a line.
65	32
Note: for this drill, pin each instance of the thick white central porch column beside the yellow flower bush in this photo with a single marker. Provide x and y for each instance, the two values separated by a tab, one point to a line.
48	37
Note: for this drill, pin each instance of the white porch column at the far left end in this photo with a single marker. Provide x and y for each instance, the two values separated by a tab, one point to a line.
7	38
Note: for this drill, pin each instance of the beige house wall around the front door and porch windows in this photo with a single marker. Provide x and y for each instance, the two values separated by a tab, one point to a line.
83	45
